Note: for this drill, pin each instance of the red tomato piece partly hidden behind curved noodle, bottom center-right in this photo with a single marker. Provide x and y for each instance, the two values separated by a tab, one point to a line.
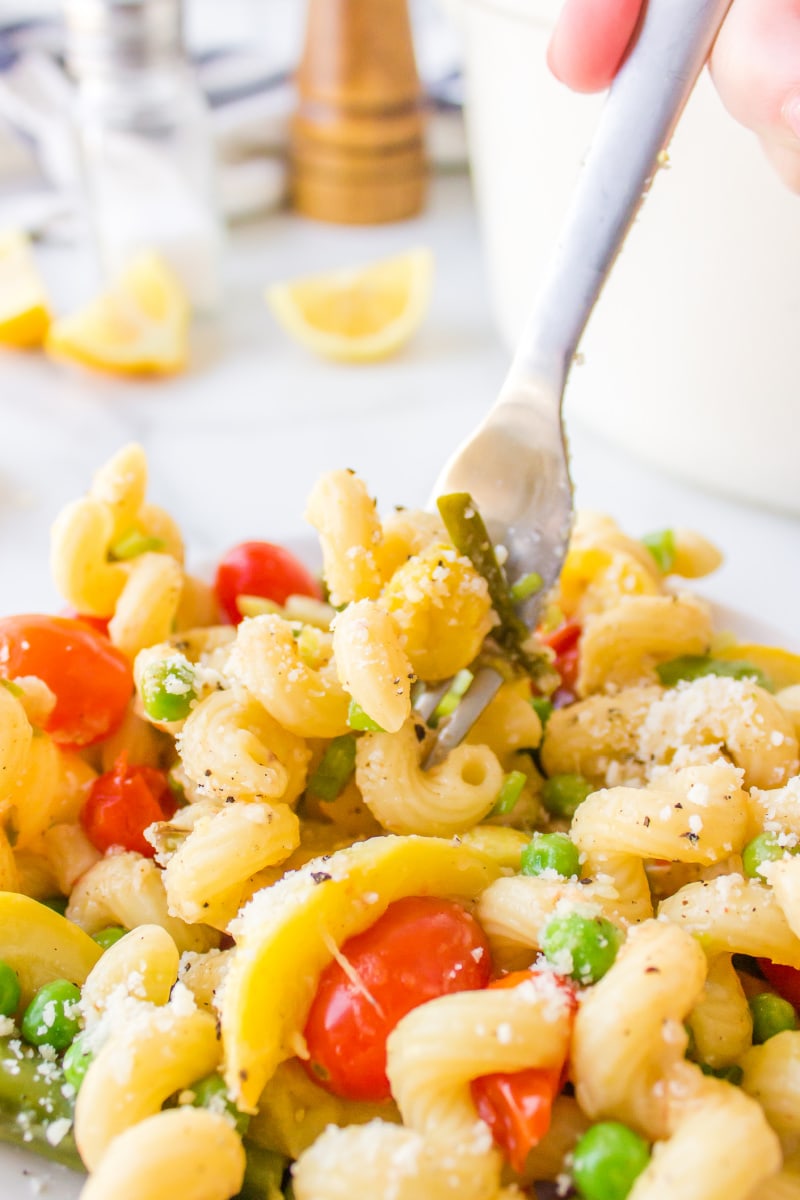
518	1106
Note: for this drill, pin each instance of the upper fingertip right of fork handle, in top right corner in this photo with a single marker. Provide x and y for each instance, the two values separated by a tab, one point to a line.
756	68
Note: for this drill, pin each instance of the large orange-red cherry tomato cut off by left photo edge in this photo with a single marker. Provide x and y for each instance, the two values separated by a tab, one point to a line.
91	679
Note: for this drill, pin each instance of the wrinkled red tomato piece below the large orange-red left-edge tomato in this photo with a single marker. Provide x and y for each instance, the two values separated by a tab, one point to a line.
123	803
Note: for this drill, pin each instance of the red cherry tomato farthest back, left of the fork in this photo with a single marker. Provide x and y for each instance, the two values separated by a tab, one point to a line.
261	569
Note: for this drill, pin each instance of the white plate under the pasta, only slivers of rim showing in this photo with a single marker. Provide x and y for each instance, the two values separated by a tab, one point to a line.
25	1177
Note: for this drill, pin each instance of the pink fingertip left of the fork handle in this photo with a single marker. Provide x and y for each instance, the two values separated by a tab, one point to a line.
591	40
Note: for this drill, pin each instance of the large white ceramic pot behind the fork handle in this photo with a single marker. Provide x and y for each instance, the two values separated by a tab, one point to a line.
693	357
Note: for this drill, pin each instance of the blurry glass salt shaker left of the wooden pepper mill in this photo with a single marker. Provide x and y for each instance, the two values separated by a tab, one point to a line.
145	140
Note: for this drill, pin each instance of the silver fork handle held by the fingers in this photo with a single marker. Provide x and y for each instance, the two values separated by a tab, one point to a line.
643	107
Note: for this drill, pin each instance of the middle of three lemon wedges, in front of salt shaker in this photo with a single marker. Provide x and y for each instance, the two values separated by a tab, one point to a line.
139	327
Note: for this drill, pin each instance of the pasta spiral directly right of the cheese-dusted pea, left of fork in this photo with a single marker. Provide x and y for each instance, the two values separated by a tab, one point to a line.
306	700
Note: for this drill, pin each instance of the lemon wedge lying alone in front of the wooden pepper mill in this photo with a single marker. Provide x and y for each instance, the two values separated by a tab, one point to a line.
362	315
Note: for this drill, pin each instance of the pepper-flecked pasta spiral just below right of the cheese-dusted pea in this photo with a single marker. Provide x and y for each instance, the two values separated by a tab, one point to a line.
231	747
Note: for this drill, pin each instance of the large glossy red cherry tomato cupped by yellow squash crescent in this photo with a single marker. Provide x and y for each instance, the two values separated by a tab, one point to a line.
419	950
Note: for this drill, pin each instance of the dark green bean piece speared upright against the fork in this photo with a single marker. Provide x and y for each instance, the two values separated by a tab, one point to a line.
471	538
